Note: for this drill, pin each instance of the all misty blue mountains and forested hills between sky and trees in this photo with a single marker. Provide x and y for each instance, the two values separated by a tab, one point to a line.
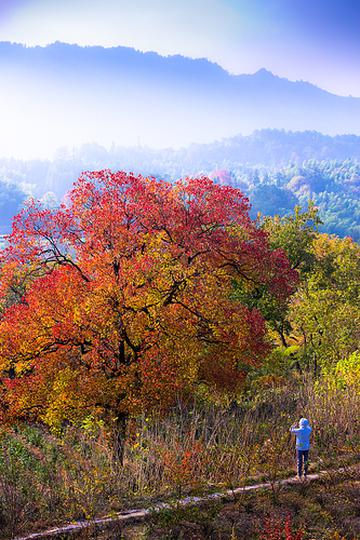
66	108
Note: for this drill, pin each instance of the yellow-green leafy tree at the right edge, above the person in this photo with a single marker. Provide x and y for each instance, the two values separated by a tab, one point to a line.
325	314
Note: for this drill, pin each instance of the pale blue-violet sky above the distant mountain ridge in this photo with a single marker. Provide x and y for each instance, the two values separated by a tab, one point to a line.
313	40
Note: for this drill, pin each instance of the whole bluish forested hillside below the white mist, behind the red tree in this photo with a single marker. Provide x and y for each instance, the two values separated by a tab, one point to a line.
275	169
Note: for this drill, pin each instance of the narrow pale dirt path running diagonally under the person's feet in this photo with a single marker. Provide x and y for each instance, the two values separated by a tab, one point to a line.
139	514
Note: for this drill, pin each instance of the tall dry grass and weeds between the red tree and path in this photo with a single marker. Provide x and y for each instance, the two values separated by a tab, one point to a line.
46	479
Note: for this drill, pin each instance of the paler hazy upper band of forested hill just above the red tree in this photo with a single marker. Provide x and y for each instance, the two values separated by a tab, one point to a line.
264	149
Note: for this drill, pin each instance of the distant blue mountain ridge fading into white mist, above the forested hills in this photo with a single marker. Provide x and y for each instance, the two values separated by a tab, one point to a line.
64	95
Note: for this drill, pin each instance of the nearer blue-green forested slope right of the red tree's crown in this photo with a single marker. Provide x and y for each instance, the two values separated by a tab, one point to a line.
334	186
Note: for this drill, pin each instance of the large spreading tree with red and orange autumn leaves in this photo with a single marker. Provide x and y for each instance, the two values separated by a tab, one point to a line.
121	298
